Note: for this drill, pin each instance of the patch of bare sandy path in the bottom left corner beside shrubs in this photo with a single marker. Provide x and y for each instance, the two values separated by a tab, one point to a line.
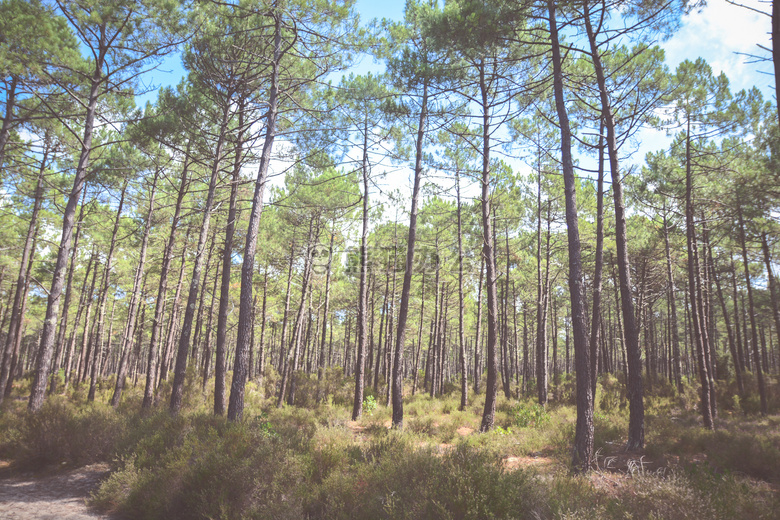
59	496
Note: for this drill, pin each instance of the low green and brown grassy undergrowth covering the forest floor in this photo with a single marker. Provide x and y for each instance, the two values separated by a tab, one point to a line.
313	462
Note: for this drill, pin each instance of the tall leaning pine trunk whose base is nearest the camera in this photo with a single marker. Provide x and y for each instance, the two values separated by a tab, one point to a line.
583	436
